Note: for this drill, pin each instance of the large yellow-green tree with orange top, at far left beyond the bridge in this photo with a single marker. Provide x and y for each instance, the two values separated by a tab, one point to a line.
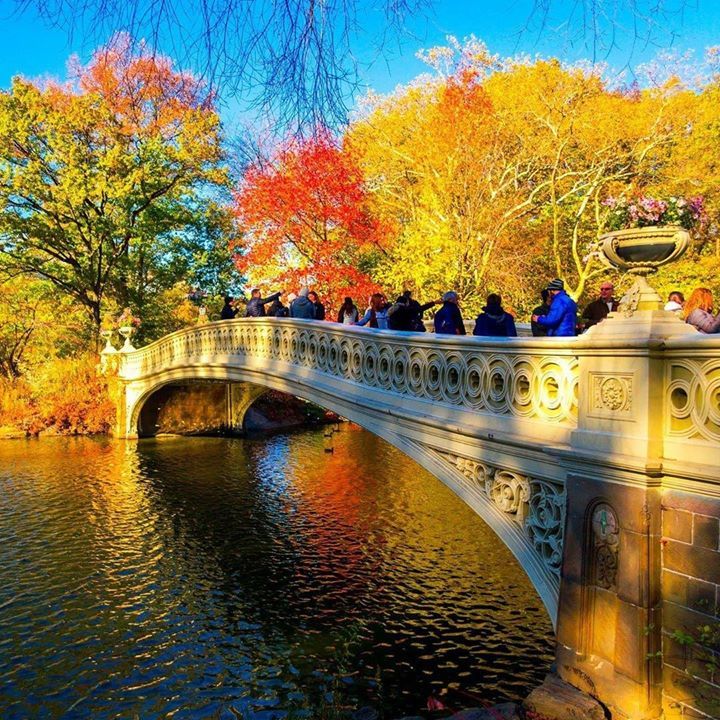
96	174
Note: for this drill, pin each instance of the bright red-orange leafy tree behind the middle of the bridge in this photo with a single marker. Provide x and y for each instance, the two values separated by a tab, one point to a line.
306	221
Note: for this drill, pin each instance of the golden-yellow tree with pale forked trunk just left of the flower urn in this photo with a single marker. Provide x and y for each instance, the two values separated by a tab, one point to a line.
589	142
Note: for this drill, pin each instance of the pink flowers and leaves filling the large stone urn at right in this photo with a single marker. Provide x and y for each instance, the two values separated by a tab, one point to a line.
645	211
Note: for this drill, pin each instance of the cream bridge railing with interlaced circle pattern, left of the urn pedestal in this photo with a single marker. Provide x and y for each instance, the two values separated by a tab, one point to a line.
519	379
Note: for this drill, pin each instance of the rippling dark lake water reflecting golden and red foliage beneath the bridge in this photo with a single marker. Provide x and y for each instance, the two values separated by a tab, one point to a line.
255	578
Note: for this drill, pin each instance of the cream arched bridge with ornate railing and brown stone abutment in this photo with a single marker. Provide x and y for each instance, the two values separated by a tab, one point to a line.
594	459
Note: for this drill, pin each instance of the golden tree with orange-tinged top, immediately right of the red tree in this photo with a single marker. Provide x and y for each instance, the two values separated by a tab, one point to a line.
454	178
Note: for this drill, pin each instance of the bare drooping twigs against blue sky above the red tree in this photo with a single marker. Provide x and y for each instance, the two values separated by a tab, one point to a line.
288	59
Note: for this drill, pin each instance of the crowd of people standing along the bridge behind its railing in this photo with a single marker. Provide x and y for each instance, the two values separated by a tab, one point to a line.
556	316
